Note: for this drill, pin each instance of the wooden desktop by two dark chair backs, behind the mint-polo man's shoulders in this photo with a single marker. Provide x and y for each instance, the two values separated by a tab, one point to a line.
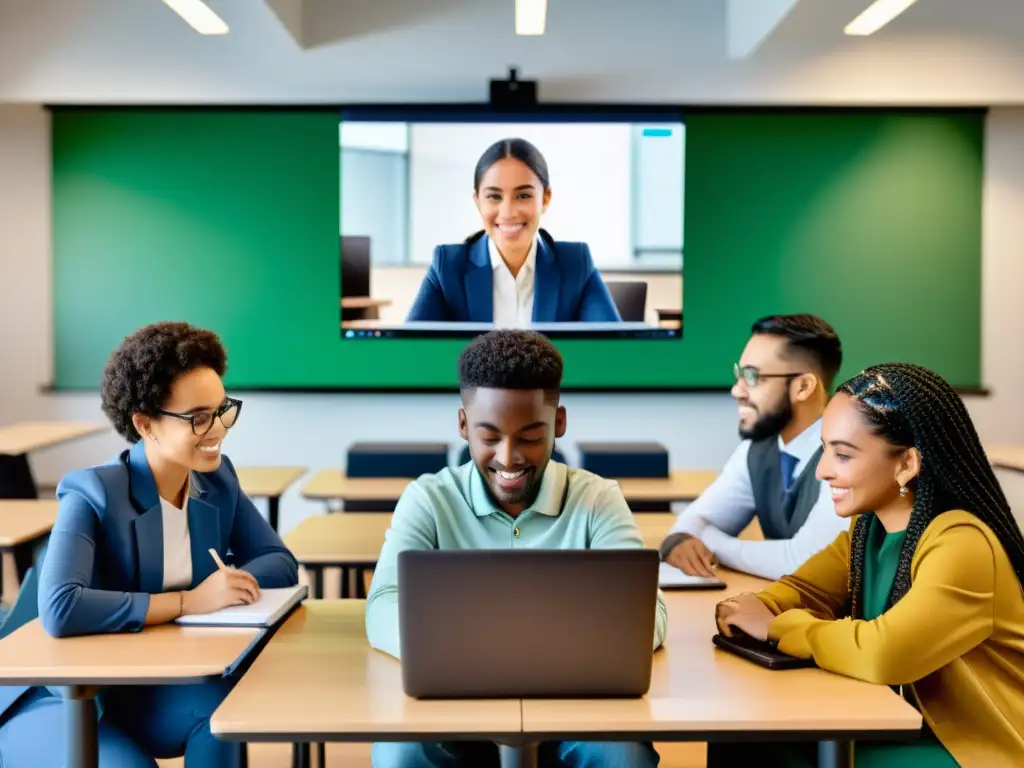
681	486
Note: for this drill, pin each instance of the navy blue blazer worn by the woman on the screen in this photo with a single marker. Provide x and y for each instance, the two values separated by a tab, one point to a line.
568	288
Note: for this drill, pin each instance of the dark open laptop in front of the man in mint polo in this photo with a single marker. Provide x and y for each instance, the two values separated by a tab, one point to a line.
524	624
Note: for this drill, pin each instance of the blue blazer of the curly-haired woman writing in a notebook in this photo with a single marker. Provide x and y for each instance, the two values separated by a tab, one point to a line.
106	553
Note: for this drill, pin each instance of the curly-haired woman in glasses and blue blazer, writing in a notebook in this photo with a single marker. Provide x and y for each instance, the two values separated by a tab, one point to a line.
131	548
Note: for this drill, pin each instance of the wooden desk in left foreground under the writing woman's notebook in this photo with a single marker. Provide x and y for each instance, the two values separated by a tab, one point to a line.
158	656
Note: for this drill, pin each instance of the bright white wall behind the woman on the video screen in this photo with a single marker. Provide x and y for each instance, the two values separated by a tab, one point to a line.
590	168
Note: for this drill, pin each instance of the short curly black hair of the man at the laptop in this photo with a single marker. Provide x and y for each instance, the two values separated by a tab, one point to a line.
511	360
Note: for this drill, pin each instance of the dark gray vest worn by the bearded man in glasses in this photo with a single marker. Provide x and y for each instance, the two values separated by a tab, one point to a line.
782	515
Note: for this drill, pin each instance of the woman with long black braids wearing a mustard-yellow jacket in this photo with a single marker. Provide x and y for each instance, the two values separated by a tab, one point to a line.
924	592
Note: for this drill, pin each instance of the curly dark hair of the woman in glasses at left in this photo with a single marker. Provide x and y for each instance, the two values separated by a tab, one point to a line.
143	370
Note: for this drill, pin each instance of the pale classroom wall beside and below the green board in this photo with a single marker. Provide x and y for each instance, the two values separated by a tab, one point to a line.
700	431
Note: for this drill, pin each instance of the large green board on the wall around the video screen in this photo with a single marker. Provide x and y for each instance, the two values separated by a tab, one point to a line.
229	220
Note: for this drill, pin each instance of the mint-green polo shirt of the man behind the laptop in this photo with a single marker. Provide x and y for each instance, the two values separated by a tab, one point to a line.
575	509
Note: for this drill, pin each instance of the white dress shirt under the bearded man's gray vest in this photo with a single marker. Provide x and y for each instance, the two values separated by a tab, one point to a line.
728	507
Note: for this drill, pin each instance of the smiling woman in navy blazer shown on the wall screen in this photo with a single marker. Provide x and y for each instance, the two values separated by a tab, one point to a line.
513	273
